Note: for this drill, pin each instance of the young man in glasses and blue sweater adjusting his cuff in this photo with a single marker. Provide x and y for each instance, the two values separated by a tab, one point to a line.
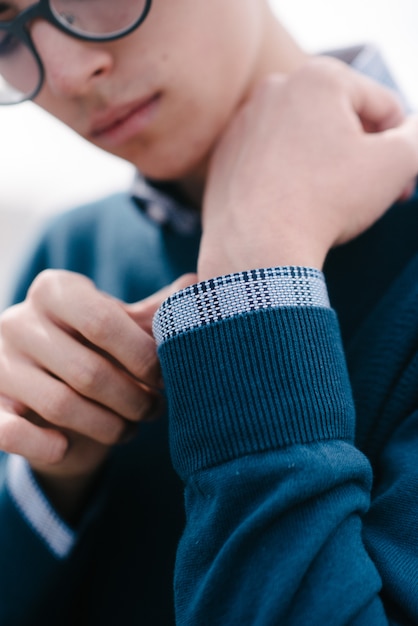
297	448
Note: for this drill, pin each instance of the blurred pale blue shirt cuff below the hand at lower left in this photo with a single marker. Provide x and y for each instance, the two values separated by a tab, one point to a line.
35	508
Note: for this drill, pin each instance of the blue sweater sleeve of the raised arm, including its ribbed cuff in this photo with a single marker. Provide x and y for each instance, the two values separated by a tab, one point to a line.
262	434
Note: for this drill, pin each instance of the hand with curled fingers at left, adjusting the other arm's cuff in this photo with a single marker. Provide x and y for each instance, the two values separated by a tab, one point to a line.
77	369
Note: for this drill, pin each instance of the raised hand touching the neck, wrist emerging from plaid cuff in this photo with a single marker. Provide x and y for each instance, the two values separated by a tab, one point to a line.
309	162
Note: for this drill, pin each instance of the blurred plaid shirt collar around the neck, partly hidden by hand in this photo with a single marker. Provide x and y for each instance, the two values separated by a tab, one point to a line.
164	209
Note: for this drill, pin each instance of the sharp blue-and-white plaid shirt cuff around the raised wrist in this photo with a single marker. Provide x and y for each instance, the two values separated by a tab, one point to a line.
220	298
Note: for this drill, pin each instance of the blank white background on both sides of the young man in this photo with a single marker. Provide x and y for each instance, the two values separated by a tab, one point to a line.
45	168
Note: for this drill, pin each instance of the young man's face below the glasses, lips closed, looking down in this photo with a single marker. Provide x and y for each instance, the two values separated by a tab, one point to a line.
161	96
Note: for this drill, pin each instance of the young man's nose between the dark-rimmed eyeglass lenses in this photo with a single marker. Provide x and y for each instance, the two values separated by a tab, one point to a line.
72	67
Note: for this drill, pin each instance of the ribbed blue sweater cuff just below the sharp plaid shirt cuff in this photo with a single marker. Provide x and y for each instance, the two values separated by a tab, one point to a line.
255	382
